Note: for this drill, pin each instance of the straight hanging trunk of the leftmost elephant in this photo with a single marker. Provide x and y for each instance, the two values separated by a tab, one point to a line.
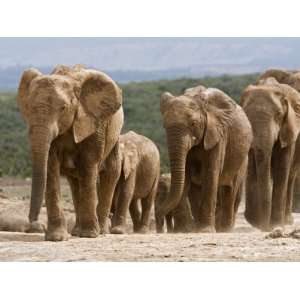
40	145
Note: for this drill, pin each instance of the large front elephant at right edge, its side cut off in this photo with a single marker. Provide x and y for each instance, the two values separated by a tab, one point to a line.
274	113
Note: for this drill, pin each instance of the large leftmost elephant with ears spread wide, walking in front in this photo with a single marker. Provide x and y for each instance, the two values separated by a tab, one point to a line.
75	117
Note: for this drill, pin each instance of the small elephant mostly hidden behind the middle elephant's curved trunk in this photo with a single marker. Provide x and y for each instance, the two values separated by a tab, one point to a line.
180	218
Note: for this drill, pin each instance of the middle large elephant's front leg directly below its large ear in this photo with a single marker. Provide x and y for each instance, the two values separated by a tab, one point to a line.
209	190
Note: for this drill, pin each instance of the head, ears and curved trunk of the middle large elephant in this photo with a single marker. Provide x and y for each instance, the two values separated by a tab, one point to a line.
198	117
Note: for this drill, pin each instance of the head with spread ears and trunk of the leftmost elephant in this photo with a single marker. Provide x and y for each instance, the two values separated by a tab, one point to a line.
74	100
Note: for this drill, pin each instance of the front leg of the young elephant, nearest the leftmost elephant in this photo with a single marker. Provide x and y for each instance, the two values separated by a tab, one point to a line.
124	200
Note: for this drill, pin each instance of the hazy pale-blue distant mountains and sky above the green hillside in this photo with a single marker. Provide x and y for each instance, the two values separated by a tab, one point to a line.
139	59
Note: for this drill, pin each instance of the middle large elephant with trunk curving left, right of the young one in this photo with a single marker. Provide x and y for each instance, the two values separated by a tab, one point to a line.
208	137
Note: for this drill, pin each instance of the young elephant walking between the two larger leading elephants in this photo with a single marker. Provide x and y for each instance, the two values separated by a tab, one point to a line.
138	180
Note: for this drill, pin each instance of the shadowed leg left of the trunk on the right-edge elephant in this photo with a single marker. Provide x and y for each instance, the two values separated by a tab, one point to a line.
251	206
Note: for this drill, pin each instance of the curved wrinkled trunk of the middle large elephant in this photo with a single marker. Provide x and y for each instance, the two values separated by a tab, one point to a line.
178	146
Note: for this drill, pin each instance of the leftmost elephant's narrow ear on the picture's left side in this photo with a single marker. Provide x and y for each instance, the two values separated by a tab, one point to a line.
23	90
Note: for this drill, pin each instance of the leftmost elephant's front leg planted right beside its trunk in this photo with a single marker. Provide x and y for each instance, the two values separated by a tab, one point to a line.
57	228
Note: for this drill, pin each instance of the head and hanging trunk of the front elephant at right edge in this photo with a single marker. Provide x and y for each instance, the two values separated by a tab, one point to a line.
273	110
